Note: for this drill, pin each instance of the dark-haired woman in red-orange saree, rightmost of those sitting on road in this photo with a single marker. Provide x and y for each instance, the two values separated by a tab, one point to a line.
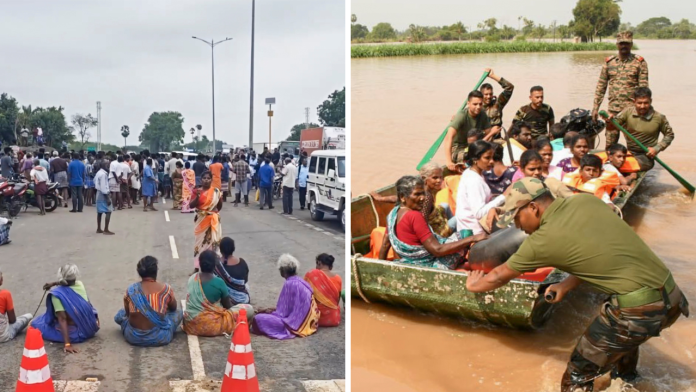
326	286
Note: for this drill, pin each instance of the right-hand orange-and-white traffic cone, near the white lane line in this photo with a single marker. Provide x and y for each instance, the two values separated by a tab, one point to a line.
240	372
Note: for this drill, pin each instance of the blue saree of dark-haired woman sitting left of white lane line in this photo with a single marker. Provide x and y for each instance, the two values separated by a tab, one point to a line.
164	324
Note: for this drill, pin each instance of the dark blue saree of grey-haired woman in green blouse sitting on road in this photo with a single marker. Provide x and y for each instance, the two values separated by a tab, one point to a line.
81	312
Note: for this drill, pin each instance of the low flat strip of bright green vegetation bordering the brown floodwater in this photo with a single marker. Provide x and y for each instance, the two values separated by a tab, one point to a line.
390	50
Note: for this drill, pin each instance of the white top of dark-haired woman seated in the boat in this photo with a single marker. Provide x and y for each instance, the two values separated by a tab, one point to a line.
473	201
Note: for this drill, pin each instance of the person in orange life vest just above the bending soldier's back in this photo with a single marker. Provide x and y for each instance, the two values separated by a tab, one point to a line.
590	178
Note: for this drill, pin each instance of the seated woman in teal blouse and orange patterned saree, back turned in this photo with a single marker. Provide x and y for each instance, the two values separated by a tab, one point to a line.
209	308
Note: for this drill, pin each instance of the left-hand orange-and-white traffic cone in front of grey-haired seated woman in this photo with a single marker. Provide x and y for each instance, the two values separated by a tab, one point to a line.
34	374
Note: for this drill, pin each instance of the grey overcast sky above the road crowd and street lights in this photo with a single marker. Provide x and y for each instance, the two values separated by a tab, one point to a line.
138	57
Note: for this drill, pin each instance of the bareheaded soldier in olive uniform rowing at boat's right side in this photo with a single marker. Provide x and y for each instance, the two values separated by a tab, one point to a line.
645	124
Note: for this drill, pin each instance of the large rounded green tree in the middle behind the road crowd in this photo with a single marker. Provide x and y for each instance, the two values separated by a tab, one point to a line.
162	130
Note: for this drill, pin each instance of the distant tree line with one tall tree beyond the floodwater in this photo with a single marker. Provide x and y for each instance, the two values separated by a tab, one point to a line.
592	21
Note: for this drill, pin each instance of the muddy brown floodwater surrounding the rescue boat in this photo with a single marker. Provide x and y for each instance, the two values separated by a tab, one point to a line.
400	106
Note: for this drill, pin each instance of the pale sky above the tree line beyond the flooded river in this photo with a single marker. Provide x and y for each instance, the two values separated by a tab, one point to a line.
401	13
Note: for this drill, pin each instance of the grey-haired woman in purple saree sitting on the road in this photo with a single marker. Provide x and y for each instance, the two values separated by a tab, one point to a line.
296	314
